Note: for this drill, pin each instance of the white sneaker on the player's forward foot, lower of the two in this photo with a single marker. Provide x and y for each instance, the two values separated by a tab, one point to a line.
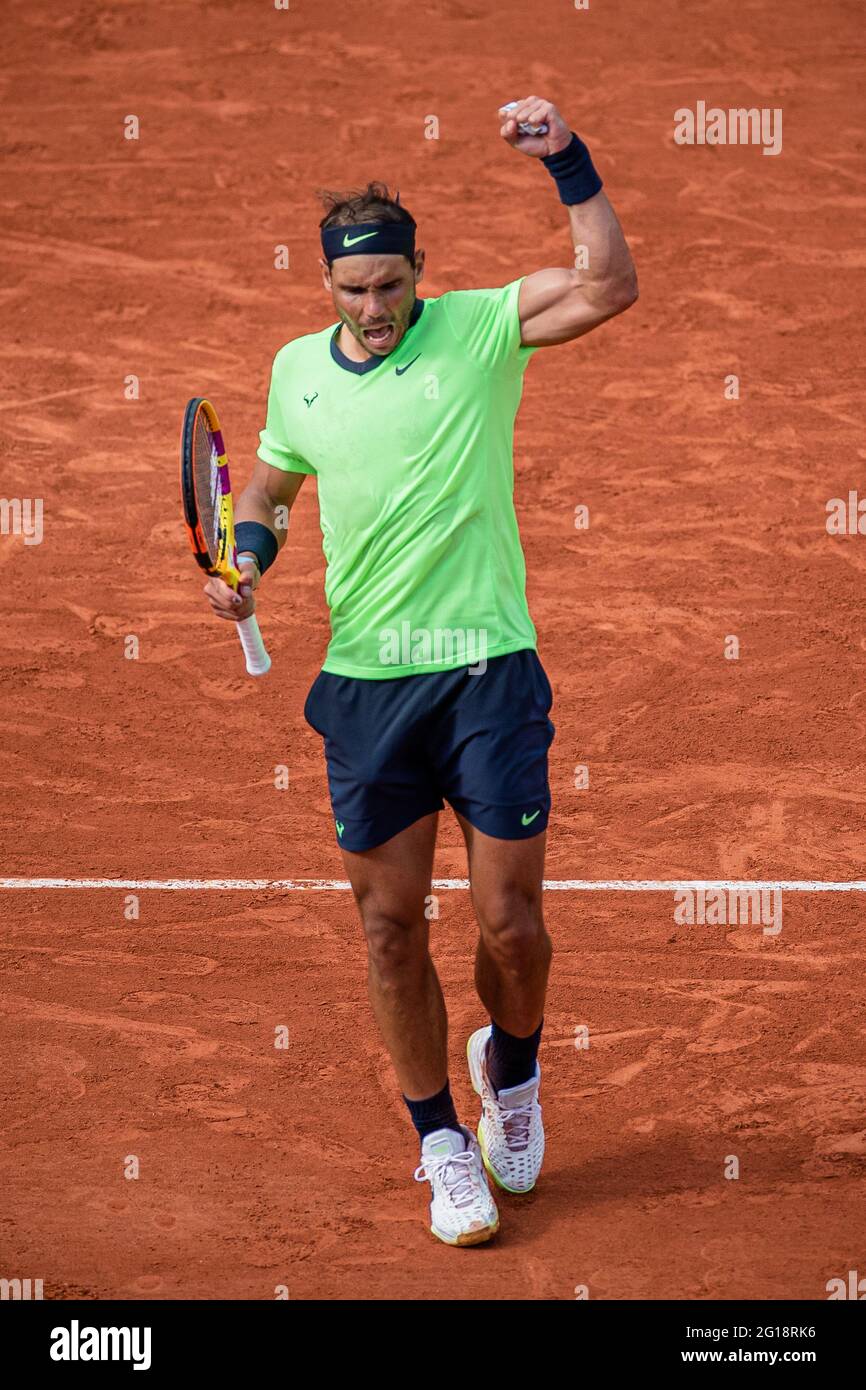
464	1211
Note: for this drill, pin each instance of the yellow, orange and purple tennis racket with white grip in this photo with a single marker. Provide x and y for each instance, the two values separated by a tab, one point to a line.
209	515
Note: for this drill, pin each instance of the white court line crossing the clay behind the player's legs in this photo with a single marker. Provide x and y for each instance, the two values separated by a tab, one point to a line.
341	885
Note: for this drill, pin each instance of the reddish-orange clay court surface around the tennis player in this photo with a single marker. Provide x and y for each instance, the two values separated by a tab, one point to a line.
154	1036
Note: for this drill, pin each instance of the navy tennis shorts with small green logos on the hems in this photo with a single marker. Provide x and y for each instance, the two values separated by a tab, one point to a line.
397	750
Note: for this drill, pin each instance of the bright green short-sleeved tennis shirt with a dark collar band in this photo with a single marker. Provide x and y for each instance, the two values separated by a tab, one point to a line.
414	459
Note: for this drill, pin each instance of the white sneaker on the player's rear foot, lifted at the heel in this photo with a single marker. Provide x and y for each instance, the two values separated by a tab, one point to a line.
511	1132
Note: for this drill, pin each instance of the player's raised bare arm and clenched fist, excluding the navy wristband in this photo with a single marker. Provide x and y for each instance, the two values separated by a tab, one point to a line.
559	305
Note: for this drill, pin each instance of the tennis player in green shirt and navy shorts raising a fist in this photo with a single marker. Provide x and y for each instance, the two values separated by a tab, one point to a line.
432	690
